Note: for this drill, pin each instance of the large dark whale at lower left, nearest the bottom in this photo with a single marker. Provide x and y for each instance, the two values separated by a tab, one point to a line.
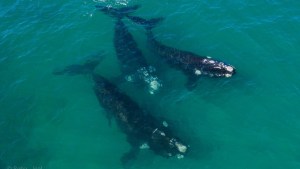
143	130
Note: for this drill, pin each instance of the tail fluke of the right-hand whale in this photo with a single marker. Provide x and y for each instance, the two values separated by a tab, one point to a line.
148	24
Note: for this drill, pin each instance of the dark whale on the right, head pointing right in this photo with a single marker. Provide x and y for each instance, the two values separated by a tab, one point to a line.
192	65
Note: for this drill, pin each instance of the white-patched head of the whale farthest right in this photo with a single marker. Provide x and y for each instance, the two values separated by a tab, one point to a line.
214	68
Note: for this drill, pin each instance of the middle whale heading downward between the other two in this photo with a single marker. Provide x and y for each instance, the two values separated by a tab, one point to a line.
134	66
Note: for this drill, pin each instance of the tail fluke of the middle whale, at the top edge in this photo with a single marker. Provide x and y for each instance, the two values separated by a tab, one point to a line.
118	13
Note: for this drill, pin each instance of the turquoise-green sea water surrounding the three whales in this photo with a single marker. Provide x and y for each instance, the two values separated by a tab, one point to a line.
250	121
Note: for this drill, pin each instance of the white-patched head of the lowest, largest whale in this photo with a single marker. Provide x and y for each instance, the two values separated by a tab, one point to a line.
166	145
